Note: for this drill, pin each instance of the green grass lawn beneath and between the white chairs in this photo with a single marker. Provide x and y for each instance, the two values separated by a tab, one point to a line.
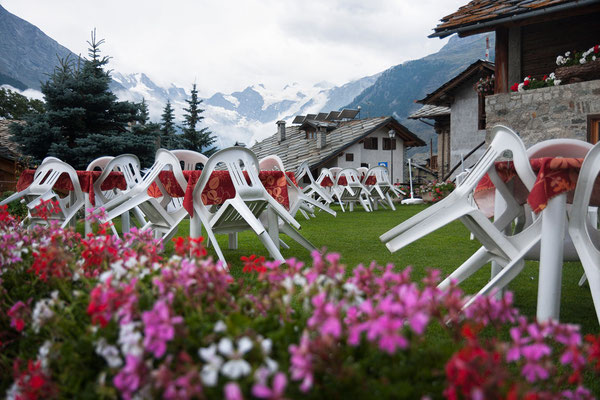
356	237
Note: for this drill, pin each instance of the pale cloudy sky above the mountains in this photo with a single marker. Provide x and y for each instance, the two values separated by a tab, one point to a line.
227	45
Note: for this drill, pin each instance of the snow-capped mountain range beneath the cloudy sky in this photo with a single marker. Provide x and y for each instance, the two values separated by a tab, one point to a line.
242	116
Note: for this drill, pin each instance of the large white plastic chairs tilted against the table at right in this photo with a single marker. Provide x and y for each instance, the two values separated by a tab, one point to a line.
515	233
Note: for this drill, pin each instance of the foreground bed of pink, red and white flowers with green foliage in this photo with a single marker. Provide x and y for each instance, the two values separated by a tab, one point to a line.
109	317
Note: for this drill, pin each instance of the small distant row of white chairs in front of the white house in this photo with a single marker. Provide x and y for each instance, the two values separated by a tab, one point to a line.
351	186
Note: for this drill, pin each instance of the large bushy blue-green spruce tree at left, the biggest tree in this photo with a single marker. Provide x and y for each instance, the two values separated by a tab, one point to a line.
83	119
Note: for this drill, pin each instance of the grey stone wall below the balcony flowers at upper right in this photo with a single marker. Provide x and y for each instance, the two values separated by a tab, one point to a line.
546	113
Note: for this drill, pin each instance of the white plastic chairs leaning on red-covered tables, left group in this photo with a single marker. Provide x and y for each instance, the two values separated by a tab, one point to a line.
252	208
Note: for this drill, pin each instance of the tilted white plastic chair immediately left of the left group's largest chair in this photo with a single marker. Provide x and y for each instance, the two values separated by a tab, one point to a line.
162	221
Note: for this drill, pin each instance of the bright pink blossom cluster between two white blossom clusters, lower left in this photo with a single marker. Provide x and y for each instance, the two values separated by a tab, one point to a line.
158	328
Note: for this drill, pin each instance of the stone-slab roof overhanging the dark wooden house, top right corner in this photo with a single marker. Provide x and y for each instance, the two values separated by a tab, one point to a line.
485	15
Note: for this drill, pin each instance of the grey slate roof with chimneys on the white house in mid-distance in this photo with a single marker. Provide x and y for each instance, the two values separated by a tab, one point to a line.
296	149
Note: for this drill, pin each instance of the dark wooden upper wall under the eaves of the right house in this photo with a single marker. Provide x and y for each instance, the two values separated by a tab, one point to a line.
542	43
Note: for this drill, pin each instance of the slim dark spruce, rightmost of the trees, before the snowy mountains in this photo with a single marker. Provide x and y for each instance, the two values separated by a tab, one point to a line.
193	139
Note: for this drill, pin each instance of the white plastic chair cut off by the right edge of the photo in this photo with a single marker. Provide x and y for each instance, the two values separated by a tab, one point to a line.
585	235
